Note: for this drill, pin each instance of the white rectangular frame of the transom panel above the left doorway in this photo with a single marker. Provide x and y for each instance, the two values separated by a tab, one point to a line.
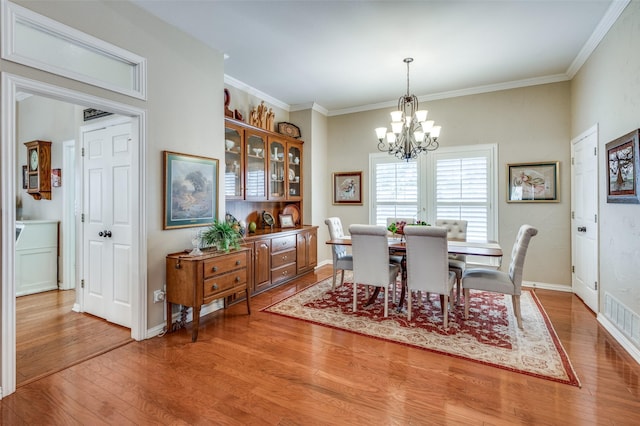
13	14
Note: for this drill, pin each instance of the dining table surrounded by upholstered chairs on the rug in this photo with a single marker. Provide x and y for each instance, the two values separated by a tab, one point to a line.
397	246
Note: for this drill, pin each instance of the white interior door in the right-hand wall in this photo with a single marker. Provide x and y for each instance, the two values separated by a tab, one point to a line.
584	222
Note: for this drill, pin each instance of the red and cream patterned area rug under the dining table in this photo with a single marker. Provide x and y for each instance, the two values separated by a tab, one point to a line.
490	336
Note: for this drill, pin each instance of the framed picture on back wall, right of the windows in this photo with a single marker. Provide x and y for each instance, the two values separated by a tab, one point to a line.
533	182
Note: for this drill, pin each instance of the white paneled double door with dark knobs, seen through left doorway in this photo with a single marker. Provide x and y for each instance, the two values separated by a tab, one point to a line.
108	223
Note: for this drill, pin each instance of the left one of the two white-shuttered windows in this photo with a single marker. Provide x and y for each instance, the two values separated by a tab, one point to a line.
394	188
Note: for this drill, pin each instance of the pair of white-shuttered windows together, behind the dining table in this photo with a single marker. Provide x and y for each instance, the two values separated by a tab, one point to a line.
450	183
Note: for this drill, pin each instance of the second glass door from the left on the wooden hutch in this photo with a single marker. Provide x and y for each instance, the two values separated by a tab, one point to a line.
256	176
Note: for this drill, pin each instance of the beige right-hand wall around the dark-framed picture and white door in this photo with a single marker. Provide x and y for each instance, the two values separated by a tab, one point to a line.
607	91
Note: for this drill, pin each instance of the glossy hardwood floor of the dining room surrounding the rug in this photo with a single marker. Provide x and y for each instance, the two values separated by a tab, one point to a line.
267	369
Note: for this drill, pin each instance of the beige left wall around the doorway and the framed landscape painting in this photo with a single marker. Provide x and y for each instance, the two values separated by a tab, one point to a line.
184	106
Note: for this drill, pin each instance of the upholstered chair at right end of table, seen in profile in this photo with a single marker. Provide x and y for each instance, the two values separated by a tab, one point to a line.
499	281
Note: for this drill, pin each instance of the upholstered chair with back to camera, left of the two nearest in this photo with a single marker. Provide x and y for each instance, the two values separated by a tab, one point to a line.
371	266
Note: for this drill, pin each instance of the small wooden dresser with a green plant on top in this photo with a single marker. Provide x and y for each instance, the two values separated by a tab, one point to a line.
197	280
